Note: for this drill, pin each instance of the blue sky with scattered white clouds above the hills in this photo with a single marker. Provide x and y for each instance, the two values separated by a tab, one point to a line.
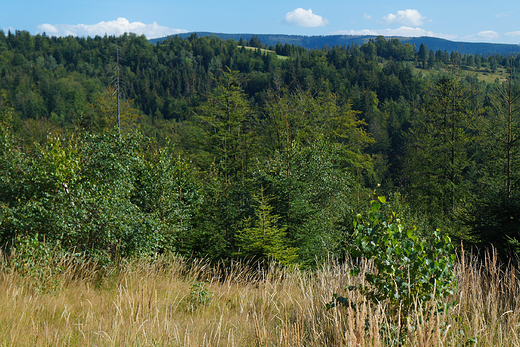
484	21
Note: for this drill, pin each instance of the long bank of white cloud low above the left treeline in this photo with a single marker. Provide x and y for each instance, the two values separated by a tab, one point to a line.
119	26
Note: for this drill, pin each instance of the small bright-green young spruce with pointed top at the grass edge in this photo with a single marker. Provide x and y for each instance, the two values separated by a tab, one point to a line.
262	238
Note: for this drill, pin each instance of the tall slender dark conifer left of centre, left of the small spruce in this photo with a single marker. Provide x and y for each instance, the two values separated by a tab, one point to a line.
227	120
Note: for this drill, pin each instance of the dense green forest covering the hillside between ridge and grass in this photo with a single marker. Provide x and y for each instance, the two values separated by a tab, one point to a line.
234	149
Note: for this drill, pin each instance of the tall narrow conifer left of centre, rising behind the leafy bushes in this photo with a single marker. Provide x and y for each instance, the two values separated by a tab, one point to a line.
226	118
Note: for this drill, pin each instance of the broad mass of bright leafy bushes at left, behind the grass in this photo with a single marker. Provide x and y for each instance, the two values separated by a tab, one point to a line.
92	193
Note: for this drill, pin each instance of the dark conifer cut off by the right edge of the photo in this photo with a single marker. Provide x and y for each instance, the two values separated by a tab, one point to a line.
495	216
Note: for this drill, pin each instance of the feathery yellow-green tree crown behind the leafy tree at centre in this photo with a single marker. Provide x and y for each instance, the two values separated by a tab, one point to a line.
304	118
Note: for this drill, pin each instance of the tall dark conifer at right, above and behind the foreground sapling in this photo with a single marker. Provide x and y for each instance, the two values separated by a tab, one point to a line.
439	141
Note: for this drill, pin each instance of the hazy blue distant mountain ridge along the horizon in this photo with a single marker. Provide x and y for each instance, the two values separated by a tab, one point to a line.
310	42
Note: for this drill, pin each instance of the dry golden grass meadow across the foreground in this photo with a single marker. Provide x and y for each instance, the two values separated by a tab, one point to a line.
168	302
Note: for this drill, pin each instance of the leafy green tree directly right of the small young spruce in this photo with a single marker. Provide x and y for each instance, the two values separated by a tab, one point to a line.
312	193
